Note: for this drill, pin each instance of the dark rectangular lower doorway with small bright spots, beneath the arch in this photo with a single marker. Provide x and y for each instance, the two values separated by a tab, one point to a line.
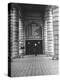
33	47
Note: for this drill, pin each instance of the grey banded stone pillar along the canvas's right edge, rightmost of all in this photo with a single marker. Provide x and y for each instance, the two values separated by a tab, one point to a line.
56	31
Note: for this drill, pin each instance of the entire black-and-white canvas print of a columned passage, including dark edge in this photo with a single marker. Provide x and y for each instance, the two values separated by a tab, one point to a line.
33	39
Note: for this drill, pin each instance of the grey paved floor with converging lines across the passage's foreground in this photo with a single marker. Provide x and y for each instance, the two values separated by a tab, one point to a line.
34	65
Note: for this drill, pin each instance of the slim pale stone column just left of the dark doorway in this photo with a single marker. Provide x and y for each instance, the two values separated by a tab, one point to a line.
21	37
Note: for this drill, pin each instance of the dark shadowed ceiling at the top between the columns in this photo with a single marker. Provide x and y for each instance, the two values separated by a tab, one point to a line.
33	9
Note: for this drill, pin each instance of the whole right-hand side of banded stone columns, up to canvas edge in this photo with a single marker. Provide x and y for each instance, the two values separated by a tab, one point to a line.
51	31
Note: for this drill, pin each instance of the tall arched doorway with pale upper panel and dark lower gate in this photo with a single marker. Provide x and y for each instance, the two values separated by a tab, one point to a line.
34	39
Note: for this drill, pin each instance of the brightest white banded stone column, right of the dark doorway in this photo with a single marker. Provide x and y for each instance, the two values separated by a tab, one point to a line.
50	39
